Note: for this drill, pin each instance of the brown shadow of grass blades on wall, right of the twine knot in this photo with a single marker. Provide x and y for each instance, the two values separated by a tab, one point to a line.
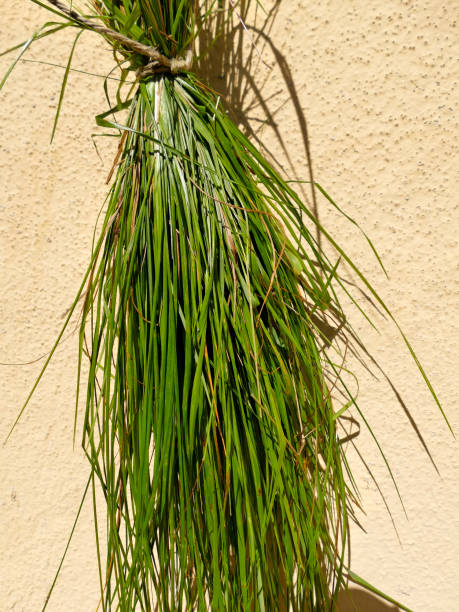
231	54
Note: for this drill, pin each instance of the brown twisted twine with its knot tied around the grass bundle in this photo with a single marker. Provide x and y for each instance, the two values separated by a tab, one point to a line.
159	62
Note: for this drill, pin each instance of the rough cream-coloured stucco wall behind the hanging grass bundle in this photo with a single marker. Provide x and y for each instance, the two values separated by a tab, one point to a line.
376	85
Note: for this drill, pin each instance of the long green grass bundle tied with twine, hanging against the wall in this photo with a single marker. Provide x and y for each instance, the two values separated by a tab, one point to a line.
209	422
